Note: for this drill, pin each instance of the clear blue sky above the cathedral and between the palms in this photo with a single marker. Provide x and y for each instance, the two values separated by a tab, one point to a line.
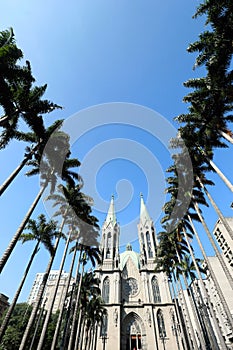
92	53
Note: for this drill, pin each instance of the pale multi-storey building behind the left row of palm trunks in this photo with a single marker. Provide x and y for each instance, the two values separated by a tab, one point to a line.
49	290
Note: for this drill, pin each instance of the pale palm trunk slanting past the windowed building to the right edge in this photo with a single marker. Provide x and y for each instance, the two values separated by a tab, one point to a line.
216	250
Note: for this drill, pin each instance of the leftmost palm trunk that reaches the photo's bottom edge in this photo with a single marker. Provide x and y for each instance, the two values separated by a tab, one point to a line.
40	294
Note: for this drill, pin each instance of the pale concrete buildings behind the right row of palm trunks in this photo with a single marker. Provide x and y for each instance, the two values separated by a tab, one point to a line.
209	309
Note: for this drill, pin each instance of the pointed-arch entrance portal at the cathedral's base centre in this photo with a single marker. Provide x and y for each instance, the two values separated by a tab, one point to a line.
133	335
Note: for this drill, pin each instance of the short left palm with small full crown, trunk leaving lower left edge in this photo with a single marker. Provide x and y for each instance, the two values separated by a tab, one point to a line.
43	232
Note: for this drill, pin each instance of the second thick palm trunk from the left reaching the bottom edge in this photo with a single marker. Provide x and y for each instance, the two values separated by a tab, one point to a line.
46	322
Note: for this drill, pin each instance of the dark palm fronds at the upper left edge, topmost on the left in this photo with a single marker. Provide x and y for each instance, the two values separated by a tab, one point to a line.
19	98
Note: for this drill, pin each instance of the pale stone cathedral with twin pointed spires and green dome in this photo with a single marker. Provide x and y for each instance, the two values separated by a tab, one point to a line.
140	310
